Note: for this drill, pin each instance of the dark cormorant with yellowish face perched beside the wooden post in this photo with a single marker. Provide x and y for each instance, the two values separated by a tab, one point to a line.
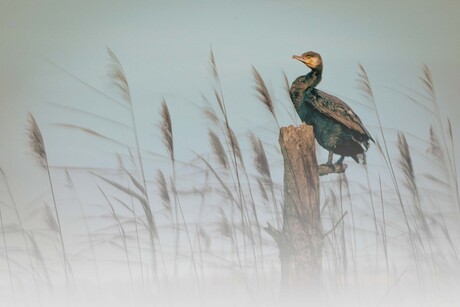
336	127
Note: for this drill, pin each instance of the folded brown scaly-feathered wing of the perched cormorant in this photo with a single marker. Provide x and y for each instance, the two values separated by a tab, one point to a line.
337	109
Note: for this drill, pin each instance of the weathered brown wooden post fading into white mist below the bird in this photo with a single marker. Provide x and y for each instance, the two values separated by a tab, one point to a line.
300	241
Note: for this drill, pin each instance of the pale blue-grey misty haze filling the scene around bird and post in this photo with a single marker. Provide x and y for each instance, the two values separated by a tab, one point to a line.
102	228
